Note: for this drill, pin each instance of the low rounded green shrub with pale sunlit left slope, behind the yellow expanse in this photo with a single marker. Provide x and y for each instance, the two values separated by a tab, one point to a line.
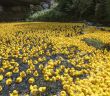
48	15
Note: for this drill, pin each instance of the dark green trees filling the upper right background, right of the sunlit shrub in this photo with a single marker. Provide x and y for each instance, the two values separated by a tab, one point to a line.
85	9
